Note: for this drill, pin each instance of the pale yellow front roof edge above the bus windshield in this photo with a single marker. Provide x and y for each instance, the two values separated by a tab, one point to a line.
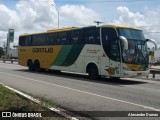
121	26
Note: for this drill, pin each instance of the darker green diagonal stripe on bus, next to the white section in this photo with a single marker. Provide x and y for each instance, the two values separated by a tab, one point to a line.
73	55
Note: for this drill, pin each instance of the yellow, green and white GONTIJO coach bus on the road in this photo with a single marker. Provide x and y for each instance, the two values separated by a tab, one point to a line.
107	51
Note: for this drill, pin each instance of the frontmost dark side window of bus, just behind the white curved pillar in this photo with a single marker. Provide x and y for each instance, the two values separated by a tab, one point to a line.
92	36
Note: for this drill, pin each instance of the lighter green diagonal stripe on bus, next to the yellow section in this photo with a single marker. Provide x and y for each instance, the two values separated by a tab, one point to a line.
62	55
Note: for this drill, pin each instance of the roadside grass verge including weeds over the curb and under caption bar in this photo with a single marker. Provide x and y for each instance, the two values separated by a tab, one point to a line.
13	102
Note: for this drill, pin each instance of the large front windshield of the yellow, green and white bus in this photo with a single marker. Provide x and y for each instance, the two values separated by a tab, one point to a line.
137	52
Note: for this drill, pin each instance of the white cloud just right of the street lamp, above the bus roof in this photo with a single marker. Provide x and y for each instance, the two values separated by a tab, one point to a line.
80	14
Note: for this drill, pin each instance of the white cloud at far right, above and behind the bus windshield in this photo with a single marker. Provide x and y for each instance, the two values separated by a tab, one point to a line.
149	21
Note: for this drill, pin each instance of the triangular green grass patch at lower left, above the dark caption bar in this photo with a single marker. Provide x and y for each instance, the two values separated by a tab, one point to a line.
11	101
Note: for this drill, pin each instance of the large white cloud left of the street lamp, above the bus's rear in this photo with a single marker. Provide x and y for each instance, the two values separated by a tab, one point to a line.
29	16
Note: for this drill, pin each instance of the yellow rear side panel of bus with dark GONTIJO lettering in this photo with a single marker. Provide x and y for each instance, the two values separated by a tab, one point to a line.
45	54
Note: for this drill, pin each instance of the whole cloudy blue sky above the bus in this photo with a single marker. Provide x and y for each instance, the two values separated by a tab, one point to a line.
27	16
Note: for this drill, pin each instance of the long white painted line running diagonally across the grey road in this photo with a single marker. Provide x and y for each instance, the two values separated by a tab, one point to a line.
139	105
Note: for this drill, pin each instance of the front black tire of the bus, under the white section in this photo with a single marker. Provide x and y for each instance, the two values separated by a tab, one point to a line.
92	71
